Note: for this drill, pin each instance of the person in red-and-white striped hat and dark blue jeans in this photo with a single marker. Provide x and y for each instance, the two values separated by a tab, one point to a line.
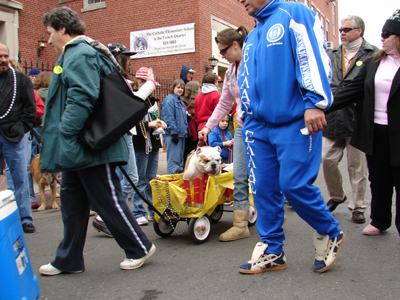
147	143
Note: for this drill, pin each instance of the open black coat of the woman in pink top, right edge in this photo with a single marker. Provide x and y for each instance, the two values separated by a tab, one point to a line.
363	87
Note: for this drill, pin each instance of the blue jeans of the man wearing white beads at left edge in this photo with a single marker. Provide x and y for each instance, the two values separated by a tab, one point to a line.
15	156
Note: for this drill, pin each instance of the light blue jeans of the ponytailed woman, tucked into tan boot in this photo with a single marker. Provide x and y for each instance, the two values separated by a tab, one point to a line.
240	177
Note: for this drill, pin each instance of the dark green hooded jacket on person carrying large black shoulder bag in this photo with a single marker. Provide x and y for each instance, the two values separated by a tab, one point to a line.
73	91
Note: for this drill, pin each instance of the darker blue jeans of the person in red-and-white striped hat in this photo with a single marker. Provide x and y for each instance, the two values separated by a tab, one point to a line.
147	165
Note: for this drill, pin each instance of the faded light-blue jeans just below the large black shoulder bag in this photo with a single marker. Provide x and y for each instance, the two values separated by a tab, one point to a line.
131	169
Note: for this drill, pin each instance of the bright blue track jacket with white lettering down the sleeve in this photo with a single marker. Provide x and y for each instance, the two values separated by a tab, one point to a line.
285	68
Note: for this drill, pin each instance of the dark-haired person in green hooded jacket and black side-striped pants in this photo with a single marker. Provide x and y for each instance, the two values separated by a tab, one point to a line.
87	179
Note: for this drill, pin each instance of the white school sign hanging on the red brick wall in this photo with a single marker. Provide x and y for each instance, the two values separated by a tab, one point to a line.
163	41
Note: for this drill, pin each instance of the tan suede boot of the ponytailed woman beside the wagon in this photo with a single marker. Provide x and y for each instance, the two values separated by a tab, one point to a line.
240	230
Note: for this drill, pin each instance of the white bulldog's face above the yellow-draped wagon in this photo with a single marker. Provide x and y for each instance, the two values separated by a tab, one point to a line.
208	159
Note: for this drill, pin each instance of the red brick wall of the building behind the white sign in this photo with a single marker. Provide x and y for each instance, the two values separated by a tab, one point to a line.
119	18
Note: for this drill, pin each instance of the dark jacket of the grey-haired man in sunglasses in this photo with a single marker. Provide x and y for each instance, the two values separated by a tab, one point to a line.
341	123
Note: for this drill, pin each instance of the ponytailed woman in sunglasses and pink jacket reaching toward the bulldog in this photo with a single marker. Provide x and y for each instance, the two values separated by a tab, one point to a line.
230	43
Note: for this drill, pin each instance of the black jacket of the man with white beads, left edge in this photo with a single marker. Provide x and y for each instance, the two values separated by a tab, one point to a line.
20	119
